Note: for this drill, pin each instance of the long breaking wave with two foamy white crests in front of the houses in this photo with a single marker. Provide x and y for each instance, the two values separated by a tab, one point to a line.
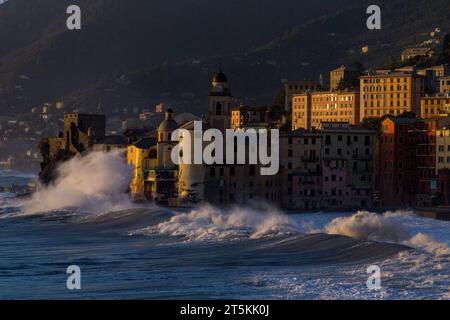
260	222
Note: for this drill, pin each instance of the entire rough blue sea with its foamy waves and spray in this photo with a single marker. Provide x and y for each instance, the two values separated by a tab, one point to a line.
130	251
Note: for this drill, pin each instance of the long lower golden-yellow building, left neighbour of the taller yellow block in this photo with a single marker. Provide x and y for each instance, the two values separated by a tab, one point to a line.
309	110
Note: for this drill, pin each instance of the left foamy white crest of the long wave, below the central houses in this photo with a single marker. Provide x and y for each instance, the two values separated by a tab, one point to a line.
211	223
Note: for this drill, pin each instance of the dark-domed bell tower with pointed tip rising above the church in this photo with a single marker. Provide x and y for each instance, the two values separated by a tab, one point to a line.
219	102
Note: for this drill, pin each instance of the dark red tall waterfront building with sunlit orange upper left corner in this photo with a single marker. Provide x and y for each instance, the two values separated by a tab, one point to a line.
397	166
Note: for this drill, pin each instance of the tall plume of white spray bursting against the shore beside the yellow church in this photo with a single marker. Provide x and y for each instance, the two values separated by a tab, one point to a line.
94	183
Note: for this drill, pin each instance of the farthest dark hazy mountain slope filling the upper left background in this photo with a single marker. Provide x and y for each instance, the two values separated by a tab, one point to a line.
118	36
